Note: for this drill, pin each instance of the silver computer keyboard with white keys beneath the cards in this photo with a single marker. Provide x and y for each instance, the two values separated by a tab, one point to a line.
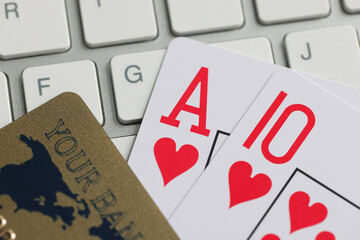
109	51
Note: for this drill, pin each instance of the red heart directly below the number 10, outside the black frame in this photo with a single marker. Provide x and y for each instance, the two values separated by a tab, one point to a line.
244	188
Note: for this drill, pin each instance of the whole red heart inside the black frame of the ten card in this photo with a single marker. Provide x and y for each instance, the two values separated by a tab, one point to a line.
302	215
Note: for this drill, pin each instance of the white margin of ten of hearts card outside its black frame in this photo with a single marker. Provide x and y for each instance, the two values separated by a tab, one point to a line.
291	124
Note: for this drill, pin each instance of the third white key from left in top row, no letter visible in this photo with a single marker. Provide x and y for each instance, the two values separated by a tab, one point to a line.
200	16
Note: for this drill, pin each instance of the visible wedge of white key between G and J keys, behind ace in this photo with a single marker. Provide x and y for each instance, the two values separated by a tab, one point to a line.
259	48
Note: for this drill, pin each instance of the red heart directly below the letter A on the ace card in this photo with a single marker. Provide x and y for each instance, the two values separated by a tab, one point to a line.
173	163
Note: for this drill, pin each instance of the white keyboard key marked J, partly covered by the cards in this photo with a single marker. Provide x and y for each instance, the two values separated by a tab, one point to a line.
330	53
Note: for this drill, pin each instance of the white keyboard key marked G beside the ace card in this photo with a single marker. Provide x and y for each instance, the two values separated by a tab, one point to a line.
133	78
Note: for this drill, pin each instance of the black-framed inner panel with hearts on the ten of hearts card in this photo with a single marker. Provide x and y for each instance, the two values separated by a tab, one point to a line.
307	209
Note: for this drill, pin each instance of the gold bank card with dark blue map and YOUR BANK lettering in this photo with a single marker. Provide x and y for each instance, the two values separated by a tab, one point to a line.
61	177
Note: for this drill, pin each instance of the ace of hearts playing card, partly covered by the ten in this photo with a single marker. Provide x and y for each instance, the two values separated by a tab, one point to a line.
200	95
